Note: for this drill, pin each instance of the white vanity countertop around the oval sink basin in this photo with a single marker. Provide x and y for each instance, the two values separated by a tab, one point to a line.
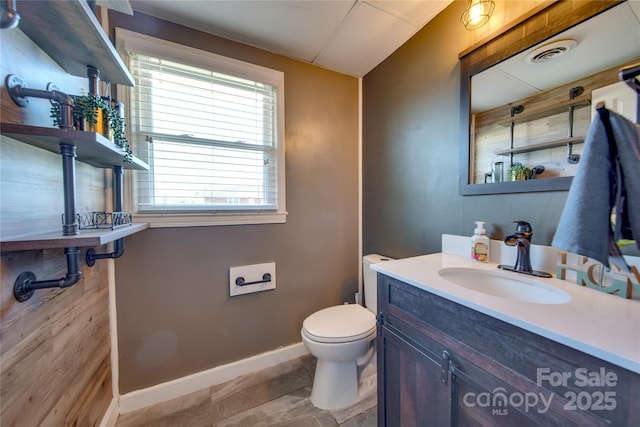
602	325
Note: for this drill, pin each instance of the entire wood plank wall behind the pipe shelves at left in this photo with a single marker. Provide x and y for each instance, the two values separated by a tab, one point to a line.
55	351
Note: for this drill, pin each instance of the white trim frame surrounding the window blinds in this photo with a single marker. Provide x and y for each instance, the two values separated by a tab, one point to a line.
128	40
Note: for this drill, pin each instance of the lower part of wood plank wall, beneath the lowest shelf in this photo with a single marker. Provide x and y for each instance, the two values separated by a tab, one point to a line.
55	354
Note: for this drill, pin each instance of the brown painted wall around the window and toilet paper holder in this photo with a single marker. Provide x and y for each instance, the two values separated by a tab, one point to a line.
174	313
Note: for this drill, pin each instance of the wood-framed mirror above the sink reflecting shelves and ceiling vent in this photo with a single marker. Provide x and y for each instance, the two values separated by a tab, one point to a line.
527	115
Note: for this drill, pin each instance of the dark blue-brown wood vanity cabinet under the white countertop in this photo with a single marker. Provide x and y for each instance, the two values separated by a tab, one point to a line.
443	364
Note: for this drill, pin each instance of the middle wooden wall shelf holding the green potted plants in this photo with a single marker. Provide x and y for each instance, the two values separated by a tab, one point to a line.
91	147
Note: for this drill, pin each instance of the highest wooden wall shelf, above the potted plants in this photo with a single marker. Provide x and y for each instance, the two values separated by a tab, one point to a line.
69	32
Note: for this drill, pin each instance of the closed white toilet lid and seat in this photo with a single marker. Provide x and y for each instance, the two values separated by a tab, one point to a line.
340	323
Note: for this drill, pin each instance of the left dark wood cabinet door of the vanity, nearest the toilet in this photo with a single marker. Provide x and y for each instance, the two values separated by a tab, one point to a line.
410	391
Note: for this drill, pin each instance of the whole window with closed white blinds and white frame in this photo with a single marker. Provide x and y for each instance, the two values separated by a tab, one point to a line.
210	128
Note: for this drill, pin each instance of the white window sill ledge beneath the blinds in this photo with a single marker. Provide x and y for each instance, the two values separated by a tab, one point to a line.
205	220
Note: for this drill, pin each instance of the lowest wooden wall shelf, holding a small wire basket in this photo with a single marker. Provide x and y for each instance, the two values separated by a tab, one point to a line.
55	239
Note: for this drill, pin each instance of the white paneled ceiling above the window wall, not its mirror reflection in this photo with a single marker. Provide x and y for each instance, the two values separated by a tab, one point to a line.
348	36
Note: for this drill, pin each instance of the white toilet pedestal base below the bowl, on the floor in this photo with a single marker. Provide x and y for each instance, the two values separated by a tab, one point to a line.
335	385
